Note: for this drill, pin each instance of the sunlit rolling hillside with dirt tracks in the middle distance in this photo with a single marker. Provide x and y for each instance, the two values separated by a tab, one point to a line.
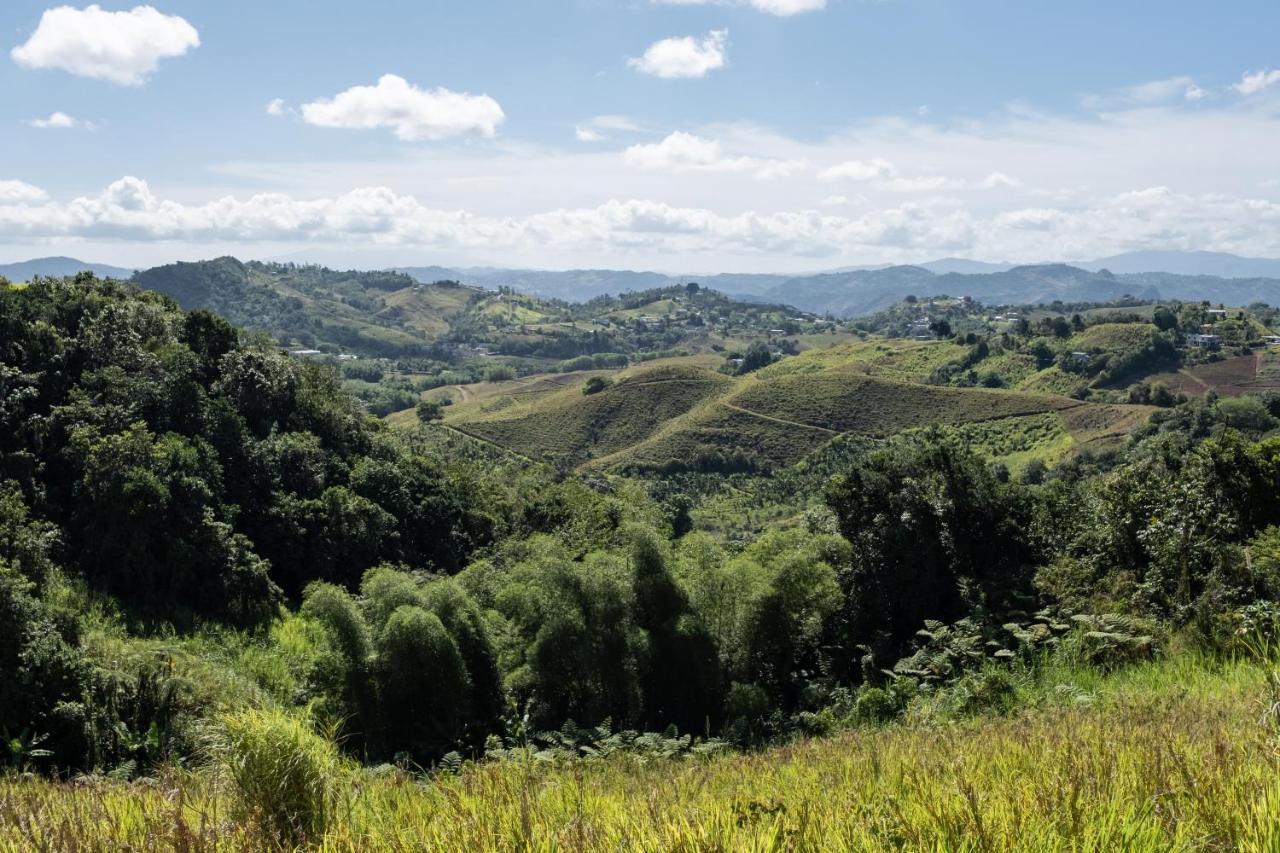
679	417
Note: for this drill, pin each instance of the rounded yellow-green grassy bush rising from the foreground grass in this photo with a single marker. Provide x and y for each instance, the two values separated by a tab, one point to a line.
282	776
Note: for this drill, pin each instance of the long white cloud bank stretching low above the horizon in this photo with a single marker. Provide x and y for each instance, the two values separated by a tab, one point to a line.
1158	217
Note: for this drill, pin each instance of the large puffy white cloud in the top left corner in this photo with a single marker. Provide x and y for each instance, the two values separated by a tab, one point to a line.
120	47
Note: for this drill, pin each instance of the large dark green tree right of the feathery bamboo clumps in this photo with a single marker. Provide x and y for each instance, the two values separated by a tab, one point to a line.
935	535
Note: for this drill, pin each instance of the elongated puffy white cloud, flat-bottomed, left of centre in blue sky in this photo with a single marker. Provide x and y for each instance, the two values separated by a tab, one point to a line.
414	113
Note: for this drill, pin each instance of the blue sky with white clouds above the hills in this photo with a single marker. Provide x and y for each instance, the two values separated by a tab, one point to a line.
685	136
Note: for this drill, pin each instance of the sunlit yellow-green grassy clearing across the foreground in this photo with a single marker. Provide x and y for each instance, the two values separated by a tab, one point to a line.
1171	756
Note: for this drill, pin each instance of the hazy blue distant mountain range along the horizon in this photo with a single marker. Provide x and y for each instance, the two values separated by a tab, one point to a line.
860	291
